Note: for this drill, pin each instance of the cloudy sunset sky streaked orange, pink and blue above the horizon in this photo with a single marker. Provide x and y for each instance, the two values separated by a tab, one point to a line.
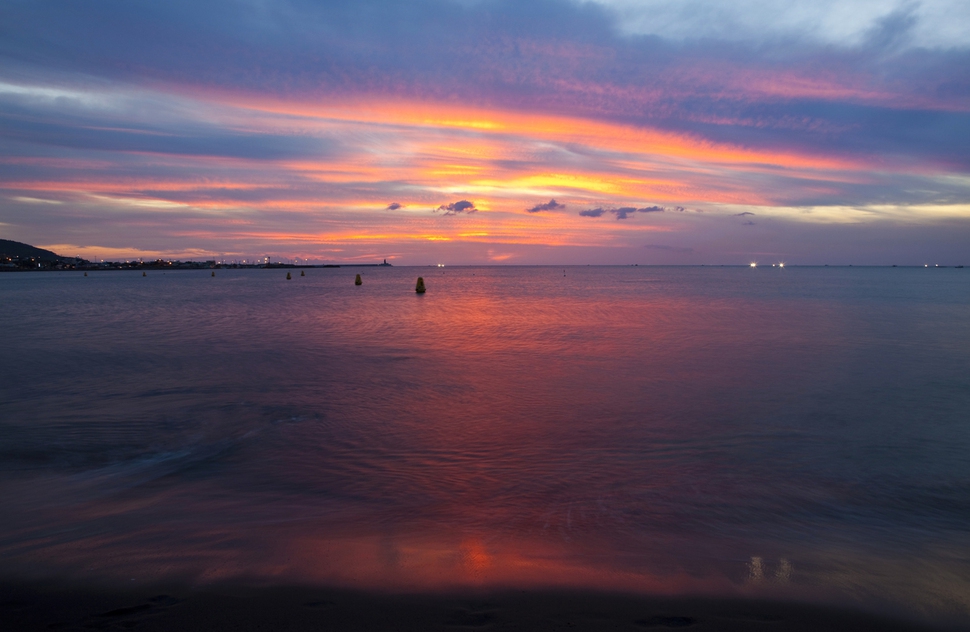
474	132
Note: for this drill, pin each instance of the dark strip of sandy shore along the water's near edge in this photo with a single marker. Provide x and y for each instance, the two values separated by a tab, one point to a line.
45	606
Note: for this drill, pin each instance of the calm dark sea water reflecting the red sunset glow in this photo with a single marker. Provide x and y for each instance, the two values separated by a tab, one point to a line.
799	432
